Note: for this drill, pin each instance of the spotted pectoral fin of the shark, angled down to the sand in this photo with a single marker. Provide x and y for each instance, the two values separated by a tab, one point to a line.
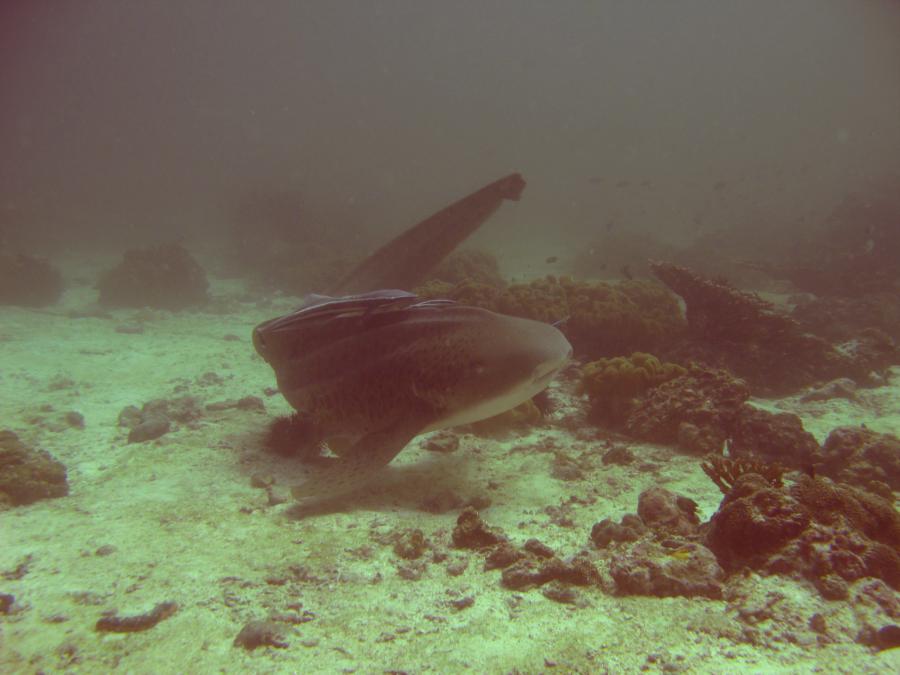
358	465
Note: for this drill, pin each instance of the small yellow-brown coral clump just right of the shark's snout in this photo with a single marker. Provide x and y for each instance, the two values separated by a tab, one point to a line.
613	385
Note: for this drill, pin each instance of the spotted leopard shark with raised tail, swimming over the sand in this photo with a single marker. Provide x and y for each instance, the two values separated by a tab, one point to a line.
370	367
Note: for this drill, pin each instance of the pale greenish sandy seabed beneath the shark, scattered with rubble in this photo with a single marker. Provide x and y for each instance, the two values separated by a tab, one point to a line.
178	520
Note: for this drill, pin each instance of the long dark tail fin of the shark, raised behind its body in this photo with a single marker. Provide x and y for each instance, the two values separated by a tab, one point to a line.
406	260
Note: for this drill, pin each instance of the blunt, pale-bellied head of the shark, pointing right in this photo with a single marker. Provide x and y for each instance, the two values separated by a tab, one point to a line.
501	361
